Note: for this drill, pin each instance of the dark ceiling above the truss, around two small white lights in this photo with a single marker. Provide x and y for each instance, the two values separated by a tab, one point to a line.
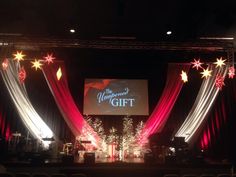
144	19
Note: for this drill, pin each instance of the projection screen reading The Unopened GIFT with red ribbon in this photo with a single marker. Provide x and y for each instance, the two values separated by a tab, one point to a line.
115	97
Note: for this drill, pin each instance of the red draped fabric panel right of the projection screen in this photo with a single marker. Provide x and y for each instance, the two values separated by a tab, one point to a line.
170	93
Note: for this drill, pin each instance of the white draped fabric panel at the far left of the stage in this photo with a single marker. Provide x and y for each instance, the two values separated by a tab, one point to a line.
25	109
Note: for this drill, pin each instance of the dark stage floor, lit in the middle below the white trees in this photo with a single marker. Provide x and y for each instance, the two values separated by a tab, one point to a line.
107	167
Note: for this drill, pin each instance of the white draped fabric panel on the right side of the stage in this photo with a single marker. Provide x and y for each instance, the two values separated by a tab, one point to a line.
207	94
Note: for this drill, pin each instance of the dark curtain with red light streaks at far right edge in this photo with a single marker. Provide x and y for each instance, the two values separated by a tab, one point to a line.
219	121
